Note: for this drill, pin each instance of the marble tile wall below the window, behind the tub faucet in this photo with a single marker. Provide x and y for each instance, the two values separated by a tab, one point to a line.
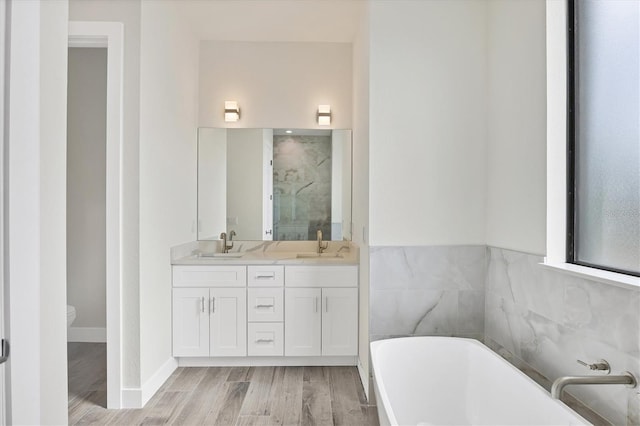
549	320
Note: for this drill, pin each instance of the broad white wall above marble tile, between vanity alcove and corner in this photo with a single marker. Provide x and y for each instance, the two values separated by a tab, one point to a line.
428	122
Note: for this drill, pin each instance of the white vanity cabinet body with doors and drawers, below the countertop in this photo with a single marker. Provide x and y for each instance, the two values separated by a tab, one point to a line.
274	312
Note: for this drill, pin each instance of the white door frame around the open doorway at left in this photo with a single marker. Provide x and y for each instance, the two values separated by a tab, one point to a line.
110	35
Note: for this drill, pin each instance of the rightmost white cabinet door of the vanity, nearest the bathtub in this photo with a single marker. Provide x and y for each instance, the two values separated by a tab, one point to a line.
339	321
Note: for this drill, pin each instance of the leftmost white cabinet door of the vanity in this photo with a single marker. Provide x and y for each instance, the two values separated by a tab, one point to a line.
190	322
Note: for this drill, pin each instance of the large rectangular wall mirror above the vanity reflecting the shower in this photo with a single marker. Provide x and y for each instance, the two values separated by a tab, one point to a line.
274	184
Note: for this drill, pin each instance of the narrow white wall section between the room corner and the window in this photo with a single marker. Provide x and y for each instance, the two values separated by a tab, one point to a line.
516	155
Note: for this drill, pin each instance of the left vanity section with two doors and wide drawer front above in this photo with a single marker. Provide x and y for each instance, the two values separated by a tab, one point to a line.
209	321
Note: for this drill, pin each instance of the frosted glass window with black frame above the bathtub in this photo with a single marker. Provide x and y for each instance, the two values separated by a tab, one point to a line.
603	120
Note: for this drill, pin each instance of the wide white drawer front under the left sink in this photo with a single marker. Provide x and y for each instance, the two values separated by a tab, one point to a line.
209	276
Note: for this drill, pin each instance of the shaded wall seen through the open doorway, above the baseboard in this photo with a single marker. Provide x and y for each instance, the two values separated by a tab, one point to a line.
86	185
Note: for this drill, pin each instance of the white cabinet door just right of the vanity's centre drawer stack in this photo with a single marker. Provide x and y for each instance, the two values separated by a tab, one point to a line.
302	322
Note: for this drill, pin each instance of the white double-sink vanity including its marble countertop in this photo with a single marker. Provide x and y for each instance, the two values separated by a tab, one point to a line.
268	305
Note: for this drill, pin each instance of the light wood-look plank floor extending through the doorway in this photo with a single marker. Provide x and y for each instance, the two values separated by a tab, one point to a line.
223	395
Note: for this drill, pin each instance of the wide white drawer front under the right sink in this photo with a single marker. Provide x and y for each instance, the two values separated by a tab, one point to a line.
321	276
